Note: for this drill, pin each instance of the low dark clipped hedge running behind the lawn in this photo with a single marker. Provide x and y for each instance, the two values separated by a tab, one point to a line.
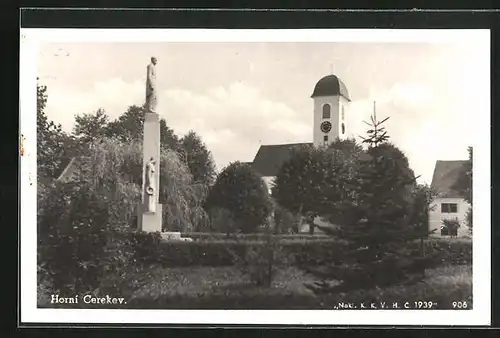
151	249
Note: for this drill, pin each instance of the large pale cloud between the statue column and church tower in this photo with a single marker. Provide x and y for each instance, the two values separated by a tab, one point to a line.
233	120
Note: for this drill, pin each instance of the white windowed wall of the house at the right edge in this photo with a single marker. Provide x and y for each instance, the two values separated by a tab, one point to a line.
436	217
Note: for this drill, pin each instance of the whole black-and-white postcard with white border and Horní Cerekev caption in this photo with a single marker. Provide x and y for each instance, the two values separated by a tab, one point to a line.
227	172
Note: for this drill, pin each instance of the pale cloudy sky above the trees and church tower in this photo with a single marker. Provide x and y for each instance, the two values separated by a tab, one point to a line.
238	96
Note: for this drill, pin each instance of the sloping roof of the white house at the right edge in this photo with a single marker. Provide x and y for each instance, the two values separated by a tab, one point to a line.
446	174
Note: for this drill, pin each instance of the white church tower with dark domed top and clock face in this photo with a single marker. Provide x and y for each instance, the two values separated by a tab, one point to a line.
331	102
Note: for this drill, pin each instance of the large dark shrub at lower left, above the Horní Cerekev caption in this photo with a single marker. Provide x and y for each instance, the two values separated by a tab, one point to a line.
80	244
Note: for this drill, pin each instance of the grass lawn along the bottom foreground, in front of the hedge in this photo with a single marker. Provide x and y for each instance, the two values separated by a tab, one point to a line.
228	288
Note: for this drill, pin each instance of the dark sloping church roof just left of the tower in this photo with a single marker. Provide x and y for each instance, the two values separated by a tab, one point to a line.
270	158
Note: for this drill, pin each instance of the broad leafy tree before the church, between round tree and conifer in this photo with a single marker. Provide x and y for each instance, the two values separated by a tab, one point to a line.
316	181
